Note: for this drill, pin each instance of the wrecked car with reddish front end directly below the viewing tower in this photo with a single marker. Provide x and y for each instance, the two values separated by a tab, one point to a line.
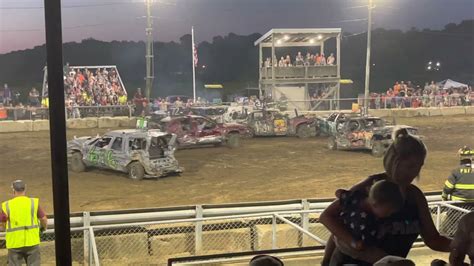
271	122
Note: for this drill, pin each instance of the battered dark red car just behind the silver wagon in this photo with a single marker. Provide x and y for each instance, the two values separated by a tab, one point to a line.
193	131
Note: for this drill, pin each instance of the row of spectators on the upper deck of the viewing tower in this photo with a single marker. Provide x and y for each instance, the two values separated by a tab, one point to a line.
300	60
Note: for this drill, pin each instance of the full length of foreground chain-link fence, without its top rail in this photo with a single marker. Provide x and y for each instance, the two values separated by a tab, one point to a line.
156	242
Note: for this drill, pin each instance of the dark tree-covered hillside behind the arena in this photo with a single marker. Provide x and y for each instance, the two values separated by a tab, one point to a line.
232	60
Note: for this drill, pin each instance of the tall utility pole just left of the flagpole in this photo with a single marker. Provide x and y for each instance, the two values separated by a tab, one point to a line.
149	51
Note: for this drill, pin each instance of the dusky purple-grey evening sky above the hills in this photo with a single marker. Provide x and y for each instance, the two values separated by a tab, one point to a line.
22	21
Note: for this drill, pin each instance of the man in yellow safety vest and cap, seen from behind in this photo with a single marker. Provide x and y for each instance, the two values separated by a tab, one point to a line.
22	218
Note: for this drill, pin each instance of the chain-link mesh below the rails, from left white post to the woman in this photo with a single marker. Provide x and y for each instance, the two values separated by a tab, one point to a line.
157	242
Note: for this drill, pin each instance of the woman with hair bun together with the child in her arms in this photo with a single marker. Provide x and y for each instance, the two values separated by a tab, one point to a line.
367	222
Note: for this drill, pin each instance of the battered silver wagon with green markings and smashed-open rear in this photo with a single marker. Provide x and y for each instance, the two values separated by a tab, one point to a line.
136	152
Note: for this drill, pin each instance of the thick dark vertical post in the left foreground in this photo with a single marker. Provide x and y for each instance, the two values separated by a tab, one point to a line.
57	129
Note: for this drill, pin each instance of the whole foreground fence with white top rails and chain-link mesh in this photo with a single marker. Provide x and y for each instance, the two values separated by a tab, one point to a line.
156	235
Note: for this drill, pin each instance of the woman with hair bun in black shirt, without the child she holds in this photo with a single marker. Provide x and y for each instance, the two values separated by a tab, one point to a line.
402	162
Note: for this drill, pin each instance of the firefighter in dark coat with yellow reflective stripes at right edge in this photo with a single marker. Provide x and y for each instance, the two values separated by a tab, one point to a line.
460	184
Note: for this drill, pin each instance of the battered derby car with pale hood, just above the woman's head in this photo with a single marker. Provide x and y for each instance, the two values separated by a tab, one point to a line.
368	133
